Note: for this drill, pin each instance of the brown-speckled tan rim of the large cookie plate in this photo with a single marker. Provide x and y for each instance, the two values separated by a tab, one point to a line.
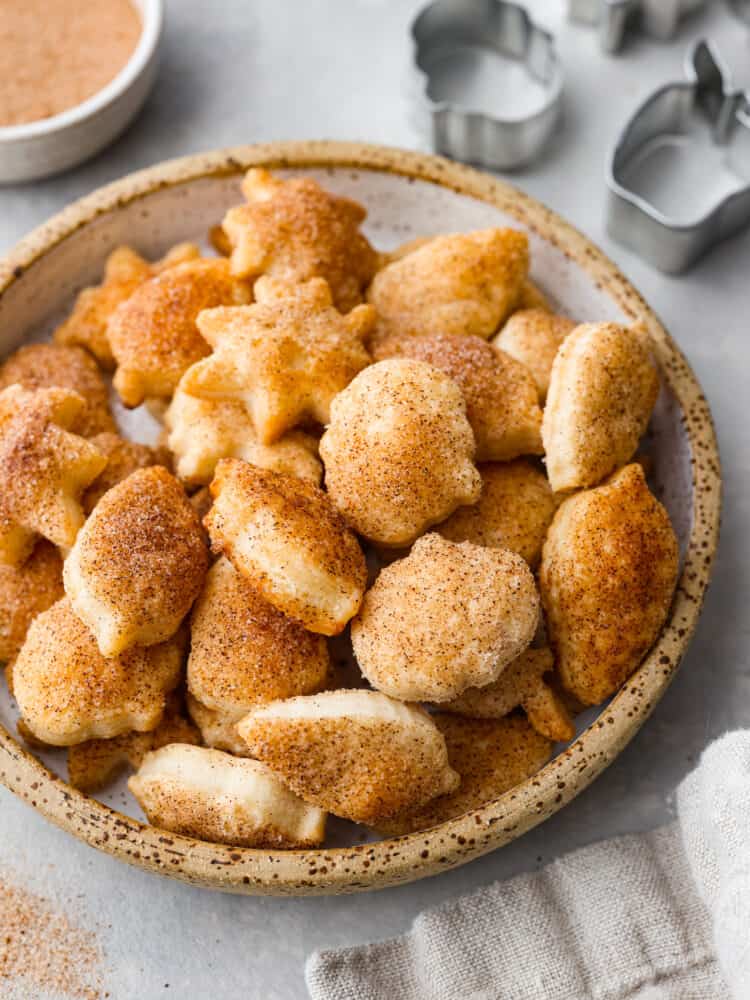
413	856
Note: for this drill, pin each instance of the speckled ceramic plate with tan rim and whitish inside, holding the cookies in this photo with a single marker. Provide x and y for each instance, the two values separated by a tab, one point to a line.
406	195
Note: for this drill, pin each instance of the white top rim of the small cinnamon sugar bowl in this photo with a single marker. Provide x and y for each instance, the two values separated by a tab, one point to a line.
151	16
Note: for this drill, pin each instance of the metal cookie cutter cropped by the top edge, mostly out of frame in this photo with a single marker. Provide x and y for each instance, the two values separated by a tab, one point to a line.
657	18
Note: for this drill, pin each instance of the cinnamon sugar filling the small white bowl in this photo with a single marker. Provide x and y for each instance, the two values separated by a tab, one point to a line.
55	55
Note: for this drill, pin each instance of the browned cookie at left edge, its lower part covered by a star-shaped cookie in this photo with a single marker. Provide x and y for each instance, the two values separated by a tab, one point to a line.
42	366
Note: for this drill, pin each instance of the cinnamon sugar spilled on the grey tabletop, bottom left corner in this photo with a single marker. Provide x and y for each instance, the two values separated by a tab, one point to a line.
43	950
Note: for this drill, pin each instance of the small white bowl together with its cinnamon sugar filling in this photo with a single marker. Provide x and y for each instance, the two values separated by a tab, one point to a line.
74	80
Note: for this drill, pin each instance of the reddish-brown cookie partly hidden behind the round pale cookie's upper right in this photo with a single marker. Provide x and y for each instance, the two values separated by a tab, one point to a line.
501	399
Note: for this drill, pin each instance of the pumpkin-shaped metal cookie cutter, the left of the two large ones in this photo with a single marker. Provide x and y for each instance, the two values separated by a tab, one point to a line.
452	41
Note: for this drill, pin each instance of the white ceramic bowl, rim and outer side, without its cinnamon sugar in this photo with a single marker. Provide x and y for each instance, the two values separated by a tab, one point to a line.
38	149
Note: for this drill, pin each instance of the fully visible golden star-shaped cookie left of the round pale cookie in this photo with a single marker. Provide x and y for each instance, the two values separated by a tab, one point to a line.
284	358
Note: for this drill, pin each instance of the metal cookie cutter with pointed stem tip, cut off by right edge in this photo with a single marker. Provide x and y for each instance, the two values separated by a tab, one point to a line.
666	242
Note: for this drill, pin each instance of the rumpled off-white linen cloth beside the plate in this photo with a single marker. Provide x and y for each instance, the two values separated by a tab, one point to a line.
633	918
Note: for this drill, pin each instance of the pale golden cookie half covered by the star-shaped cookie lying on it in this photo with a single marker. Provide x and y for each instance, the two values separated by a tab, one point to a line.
202	431
